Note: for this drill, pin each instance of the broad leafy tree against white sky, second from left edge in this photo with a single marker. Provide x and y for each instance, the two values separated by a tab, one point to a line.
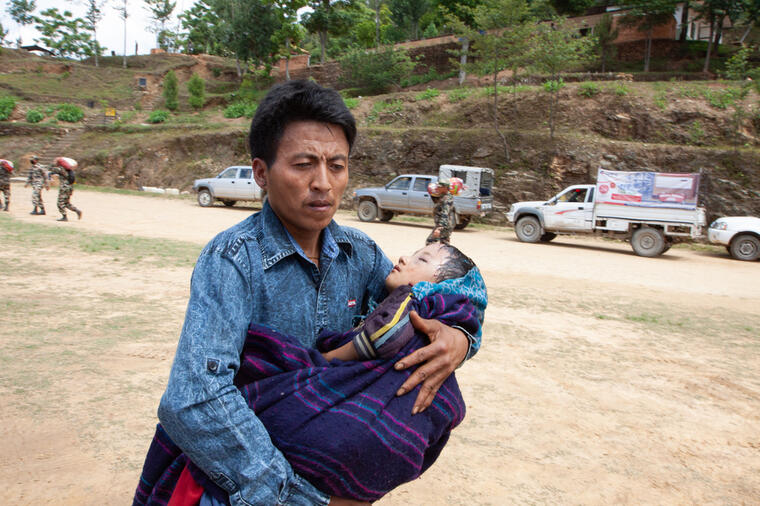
63	33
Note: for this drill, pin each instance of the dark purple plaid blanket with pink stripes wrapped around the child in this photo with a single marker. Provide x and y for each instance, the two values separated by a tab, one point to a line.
302	399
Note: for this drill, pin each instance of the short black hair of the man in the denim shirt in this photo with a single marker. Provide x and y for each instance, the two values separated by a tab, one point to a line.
299	100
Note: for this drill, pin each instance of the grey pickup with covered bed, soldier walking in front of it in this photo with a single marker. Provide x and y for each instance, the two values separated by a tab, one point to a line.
407	194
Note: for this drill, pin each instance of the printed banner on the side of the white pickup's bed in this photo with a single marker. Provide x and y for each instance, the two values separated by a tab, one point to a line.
647	189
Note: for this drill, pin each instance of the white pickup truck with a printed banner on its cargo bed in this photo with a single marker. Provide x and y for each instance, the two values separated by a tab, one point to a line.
651	210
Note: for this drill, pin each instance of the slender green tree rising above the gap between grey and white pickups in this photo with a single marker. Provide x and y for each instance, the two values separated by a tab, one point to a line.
499	41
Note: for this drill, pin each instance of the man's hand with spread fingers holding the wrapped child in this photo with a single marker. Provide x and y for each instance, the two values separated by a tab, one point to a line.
447	349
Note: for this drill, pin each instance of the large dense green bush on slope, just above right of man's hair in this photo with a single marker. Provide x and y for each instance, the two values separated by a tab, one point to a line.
375	72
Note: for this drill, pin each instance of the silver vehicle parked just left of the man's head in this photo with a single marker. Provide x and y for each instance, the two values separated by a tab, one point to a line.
233	184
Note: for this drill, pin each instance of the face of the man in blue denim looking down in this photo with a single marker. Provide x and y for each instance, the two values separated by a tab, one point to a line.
308	177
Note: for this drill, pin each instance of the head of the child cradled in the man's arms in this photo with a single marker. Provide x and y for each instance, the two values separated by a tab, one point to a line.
434	263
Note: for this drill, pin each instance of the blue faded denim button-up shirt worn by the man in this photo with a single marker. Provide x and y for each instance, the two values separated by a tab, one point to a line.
256	272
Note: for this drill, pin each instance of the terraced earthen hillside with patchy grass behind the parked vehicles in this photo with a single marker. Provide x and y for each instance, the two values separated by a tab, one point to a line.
666	126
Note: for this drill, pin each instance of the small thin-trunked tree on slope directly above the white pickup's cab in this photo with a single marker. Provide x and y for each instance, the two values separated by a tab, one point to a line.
556	48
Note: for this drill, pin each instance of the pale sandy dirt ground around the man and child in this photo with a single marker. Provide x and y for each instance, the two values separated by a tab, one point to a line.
603	378
